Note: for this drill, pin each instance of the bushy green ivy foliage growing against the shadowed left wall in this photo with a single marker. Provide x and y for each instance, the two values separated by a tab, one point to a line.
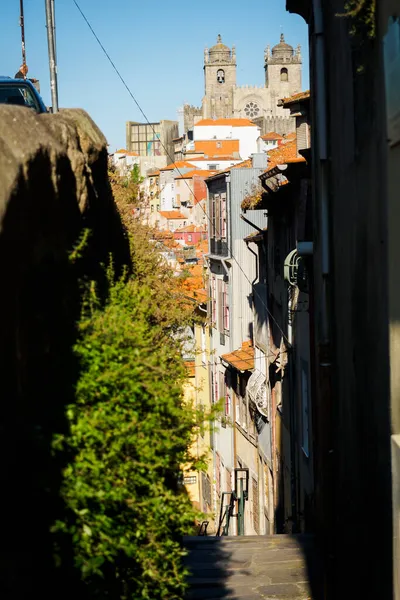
130	432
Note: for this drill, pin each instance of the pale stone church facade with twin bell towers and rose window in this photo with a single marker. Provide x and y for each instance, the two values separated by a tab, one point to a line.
224	99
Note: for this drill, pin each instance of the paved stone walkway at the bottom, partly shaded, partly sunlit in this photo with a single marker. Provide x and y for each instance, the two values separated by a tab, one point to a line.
253	567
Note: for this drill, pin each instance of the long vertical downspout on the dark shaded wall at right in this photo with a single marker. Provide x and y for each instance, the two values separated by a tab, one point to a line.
323	400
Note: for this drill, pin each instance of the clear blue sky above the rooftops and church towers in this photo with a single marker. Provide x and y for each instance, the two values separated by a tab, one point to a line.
157	46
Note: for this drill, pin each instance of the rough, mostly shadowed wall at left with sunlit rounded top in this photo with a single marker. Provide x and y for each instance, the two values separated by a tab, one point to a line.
53	184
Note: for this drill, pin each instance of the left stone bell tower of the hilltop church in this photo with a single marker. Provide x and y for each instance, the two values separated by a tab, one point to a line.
219	81
